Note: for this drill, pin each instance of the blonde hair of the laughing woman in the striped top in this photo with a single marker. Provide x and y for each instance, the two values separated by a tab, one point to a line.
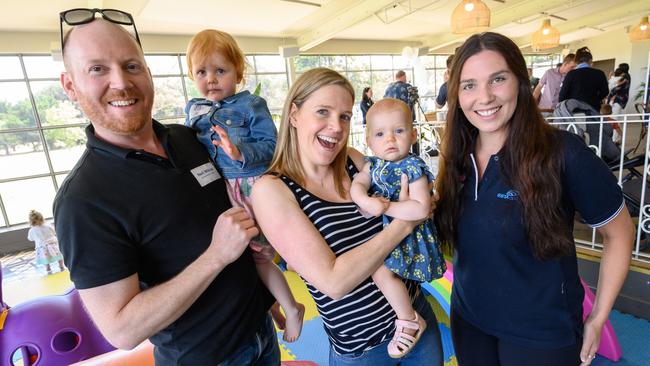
286	160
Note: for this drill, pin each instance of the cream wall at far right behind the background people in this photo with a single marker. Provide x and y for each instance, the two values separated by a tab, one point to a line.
616	44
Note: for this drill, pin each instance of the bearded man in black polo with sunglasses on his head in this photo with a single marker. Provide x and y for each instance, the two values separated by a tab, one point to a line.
136	217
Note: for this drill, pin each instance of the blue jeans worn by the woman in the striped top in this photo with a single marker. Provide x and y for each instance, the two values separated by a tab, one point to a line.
428	351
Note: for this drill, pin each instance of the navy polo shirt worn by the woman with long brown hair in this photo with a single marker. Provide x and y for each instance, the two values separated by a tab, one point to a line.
499	285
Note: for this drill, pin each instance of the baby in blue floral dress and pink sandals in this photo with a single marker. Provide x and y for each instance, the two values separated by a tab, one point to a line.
390	134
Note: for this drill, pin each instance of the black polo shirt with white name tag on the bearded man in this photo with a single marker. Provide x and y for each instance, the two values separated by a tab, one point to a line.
122	211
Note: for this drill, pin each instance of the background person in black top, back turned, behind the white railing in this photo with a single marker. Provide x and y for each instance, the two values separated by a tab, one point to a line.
585	83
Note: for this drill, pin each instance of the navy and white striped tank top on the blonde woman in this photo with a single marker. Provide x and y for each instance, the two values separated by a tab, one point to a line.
363	318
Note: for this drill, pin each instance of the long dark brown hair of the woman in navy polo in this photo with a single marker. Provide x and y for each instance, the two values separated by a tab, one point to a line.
530	158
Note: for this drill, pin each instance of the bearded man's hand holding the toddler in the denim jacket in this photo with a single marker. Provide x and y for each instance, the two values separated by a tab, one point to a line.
231	234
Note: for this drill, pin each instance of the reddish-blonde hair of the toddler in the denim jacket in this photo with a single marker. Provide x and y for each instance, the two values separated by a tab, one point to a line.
209	41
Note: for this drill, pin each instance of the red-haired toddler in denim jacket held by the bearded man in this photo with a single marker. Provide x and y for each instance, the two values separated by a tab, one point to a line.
239	134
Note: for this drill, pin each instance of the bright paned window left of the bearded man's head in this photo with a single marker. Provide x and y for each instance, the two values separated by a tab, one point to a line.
41	135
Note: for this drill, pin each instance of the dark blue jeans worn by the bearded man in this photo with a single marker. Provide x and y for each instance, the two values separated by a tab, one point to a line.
261	350
